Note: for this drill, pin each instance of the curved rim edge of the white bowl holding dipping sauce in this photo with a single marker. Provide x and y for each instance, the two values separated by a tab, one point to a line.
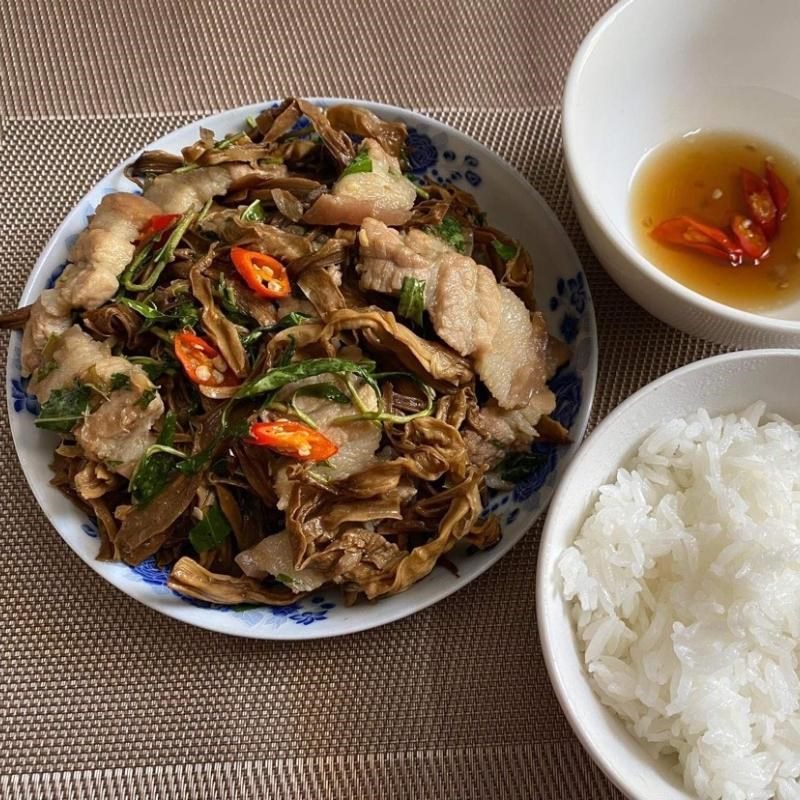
594	208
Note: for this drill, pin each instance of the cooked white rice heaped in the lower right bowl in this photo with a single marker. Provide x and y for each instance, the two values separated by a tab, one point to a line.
686	588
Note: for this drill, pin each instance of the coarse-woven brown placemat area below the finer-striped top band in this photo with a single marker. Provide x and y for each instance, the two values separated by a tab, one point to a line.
454	701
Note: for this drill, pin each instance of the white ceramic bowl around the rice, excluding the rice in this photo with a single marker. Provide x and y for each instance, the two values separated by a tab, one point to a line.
721	384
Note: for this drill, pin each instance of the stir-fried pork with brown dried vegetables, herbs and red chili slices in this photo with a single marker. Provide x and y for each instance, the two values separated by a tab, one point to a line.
288	363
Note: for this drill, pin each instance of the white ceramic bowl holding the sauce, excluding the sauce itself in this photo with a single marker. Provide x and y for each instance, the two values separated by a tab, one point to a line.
650	71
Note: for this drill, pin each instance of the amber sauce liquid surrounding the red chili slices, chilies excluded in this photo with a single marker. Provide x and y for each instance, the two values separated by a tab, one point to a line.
699	175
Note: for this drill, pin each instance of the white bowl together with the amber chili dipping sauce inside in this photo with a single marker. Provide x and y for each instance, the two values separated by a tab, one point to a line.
681	130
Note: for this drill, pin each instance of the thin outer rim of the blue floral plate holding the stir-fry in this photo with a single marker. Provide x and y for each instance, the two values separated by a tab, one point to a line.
217	623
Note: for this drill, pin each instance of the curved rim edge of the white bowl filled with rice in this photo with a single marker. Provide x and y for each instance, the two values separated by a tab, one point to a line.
546	561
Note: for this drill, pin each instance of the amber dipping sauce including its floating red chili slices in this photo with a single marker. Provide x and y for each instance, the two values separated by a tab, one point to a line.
719	212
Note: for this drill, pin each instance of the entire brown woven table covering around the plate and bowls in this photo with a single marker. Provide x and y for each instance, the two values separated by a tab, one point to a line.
102	697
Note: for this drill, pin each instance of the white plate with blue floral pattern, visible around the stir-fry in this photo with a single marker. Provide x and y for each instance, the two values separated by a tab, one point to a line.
448	157
